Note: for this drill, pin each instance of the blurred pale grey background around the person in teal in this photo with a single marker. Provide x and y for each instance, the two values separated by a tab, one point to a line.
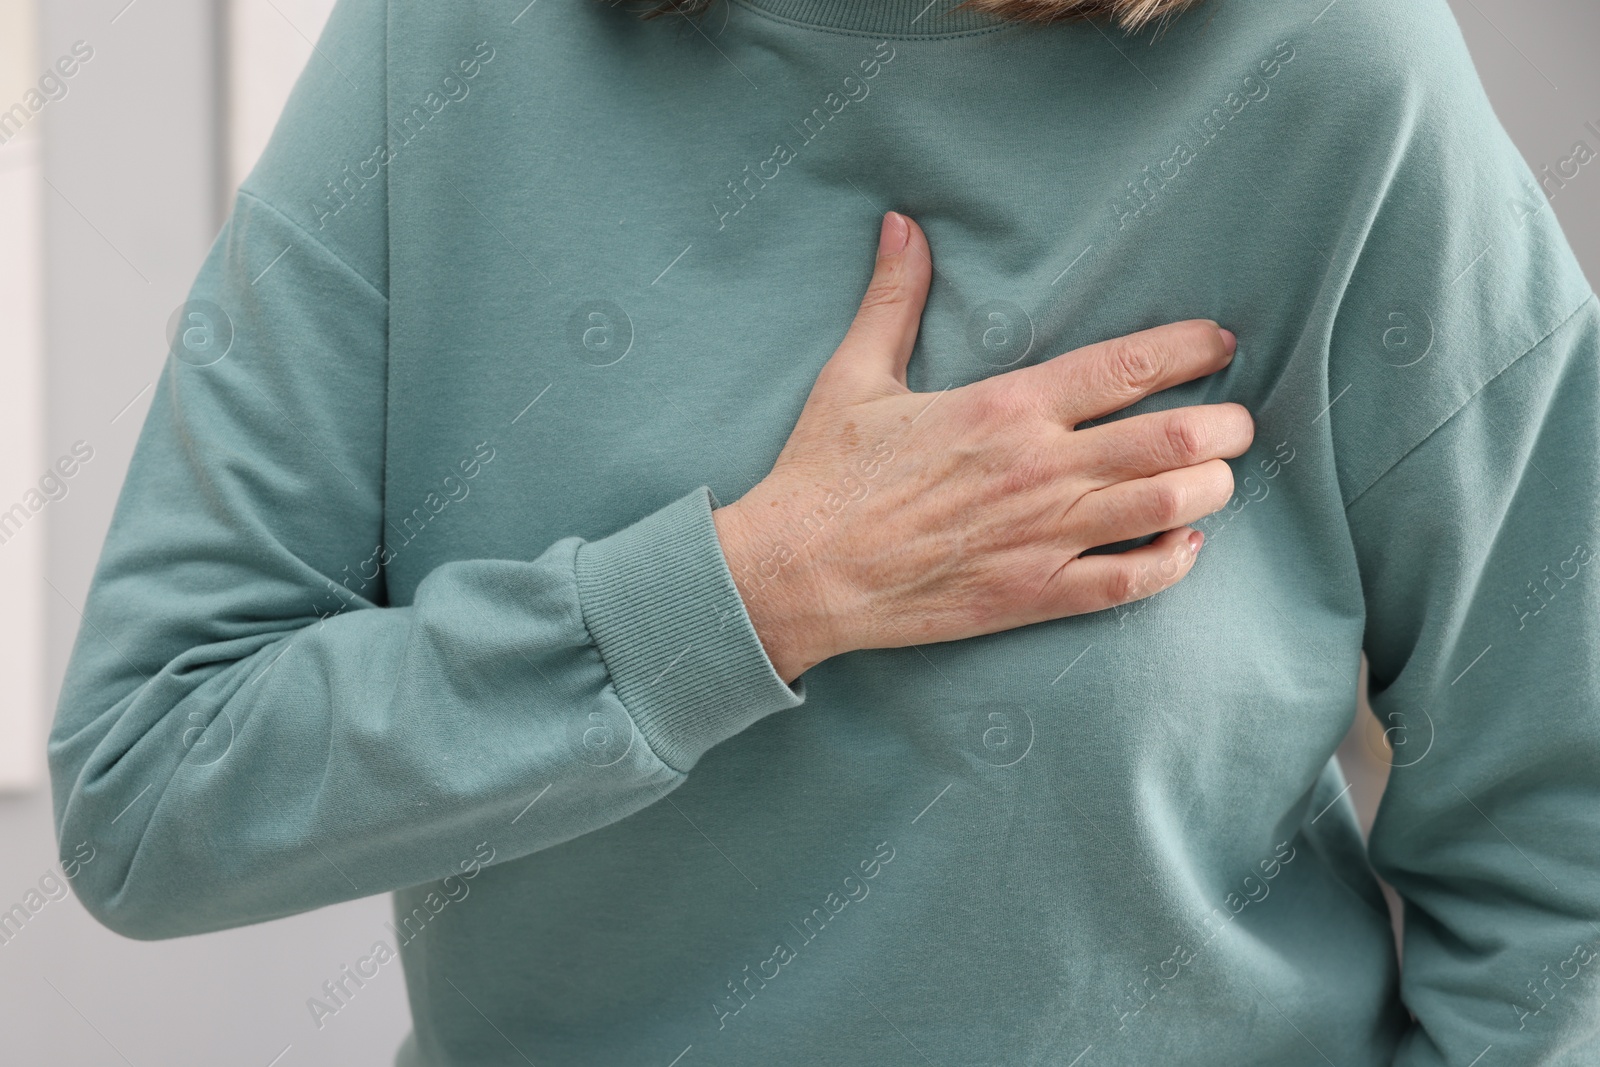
126	126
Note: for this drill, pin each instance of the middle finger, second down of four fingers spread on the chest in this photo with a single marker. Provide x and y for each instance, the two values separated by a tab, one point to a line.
1145	446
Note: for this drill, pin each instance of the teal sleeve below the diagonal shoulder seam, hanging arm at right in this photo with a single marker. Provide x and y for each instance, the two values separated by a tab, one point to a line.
1479	564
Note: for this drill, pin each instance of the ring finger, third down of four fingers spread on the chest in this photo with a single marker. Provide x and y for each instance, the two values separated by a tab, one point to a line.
1145	506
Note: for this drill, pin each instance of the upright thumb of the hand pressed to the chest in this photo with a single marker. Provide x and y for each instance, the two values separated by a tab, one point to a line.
879	343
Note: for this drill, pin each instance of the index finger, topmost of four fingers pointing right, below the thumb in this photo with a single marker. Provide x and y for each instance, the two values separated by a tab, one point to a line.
1102	378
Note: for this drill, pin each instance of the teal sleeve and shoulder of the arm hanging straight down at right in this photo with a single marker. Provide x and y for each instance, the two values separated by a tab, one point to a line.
1466	425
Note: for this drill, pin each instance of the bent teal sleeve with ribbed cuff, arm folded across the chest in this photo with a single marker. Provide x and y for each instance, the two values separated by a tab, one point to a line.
242	732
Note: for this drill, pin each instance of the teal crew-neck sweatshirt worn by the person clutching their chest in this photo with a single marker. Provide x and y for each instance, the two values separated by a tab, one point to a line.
414	586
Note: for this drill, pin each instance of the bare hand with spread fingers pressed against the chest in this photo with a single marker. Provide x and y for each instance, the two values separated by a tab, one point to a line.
902	519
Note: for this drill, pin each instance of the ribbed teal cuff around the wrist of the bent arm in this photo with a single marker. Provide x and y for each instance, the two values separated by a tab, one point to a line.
686	661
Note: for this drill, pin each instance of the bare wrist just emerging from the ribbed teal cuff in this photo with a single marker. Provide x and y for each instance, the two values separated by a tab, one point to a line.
788	615
